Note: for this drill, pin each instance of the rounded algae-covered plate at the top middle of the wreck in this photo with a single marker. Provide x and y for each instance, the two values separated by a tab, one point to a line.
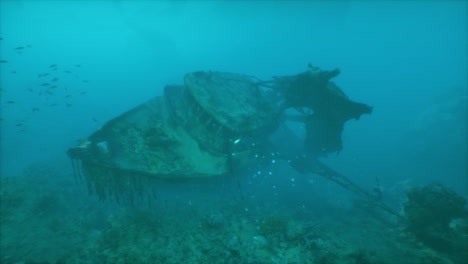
236	101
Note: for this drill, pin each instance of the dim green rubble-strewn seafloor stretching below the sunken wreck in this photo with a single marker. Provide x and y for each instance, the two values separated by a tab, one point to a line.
47	218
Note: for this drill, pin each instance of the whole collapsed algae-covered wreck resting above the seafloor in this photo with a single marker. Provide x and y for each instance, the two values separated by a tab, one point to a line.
214	125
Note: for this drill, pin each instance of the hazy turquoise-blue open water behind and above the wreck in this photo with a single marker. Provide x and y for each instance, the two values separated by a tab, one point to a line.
407	59
